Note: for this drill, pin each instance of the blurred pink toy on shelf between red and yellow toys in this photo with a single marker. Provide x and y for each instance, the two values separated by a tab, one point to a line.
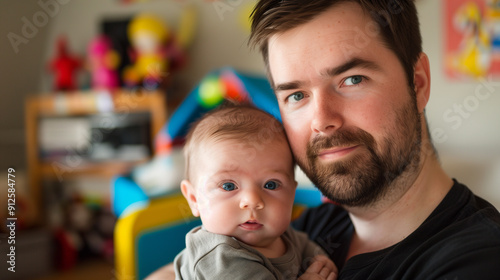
103	61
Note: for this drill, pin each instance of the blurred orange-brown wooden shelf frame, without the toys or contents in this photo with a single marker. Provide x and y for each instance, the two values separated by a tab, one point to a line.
76	105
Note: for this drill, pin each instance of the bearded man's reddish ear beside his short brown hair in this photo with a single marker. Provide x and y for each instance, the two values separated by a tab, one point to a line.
422	81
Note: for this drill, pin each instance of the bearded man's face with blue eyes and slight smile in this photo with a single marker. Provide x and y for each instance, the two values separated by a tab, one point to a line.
351	119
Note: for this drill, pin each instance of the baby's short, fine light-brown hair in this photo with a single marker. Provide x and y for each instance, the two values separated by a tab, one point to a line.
241	122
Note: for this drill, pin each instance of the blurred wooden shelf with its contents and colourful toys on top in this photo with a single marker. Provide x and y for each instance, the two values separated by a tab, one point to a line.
110	126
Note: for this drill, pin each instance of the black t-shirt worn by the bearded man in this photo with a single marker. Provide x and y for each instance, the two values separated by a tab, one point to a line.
459	240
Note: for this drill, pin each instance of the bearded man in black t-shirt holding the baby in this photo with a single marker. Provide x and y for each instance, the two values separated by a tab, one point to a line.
352	84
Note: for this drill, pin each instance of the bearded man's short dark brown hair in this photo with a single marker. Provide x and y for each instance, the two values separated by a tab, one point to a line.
397	20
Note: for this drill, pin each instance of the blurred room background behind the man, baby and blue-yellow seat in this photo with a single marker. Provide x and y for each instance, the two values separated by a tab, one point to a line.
52	105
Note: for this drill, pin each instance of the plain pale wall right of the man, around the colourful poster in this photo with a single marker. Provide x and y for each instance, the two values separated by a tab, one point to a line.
470	150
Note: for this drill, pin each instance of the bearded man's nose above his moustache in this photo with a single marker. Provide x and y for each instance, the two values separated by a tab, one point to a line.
327	114
